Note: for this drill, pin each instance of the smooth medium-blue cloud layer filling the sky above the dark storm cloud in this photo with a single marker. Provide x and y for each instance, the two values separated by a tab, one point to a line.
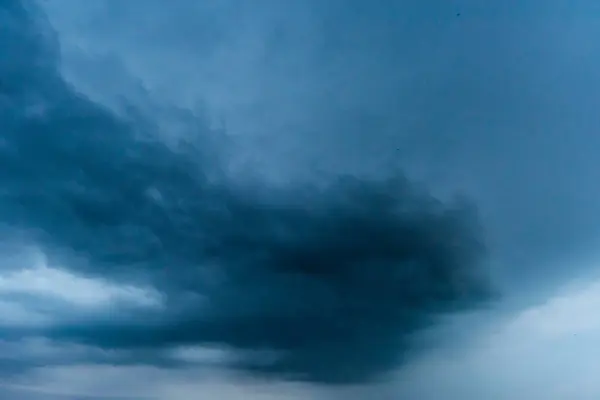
499	102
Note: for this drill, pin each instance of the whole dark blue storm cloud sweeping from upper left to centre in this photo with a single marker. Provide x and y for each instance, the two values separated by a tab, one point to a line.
332	278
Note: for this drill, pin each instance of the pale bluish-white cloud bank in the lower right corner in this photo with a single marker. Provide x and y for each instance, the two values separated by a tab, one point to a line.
548	351
